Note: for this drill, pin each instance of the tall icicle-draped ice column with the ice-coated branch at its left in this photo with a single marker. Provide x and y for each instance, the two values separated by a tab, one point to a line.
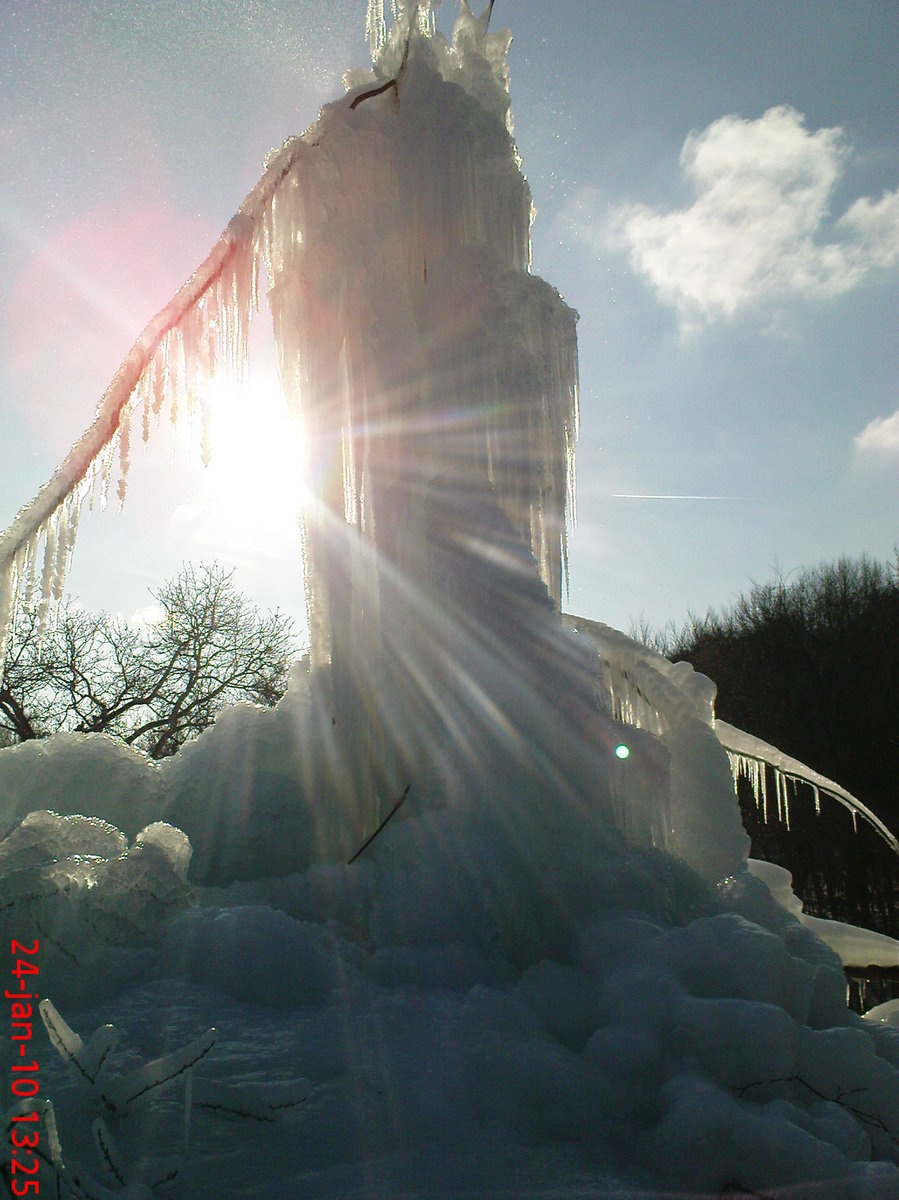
437	383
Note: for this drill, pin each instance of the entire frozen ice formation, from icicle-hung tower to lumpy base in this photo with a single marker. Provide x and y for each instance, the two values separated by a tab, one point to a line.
550	974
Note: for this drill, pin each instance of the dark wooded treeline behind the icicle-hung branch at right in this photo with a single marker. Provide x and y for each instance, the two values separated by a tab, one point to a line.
811	664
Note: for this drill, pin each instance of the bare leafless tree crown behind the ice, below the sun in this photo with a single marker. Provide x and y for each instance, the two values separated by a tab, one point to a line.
155	687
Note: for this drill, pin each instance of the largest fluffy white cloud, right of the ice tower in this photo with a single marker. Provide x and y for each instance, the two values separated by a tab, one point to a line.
751	237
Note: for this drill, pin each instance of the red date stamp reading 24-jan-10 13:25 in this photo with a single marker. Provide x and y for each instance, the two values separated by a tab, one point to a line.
25	1138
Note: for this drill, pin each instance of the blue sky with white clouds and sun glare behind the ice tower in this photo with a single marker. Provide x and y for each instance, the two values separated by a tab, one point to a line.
717	195
